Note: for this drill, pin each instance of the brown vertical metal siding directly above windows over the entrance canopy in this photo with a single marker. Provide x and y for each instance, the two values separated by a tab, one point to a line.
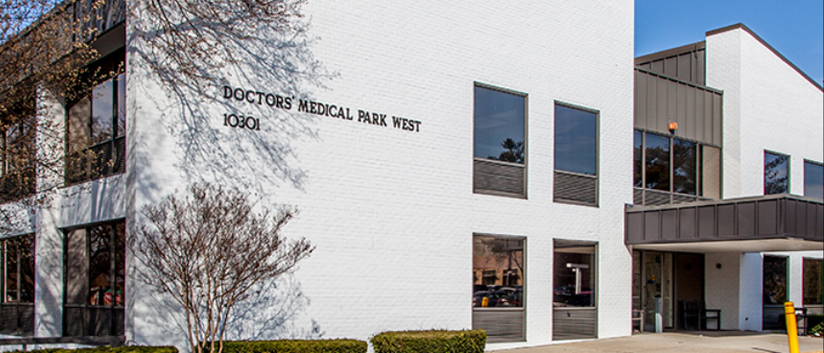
660	100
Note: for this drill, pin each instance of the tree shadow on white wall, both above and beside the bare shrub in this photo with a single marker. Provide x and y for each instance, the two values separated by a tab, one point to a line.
191	116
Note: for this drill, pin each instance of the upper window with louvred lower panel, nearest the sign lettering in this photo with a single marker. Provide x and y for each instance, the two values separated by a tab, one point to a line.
499	142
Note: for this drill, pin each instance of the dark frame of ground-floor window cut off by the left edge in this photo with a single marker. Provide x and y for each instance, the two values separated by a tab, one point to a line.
19	309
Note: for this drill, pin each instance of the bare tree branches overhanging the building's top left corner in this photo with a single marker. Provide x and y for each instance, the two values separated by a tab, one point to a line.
46	45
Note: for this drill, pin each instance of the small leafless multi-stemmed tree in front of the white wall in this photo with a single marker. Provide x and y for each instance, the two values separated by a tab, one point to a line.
207	250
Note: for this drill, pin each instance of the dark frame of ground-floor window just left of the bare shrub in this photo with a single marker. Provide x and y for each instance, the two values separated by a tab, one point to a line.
88	310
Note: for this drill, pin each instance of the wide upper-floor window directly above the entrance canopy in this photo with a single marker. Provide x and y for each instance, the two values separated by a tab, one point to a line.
671	169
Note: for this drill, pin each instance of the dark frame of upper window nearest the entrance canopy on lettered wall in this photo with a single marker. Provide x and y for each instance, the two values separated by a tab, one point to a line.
597	162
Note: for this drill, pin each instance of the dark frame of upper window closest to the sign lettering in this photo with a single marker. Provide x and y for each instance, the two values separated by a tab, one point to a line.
523	167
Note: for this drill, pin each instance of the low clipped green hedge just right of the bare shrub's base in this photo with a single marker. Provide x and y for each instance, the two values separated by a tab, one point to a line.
295	346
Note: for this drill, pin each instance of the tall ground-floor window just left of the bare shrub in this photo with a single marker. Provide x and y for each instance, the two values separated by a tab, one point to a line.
95	280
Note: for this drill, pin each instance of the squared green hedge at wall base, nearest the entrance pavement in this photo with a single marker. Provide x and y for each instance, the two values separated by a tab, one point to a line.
435	341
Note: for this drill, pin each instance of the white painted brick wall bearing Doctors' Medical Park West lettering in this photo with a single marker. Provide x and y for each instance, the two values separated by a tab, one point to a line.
392	213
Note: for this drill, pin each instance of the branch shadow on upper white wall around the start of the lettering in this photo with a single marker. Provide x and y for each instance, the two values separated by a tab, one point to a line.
272	62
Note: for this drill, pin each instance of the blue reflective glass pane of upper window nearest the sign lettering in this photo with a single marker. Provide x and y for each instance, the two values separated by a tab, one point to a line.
499	125
